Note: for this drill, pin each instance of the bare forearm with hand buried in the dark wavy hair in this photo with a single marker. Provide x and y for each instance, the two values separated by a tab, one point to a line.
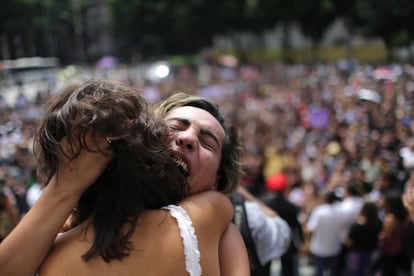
32	238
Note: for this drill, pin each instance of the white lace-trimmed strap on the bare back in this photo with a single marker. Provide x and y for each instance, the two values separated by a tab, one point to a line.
191	251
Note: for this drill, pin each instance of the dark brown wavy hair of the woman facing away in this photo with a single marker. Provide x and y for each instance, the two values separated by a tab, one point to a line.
142	173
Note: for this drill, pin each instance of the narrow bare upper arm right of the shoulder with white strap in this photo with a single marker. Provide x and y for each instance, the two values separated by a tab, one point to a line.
234	260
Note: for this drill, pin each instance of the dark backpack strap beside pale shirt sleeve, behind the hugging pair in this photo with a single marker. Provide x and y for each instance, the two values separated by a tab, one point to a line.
240	220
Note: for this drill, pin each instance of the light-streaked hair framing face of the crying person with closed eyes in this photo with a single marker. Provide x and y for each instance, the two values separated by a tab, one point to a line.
230	171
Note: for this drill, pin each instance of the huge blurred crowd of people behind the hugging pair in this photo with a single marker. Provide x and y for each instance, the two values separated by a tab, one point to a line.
335	141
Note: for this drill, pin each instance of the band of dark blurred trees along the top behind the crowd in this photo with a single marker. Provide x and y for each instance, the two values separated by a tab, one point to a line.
191	24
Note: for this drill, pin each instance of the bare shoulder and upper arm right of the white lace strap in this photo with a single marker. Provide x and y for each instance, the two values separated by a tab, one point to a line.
211	214
